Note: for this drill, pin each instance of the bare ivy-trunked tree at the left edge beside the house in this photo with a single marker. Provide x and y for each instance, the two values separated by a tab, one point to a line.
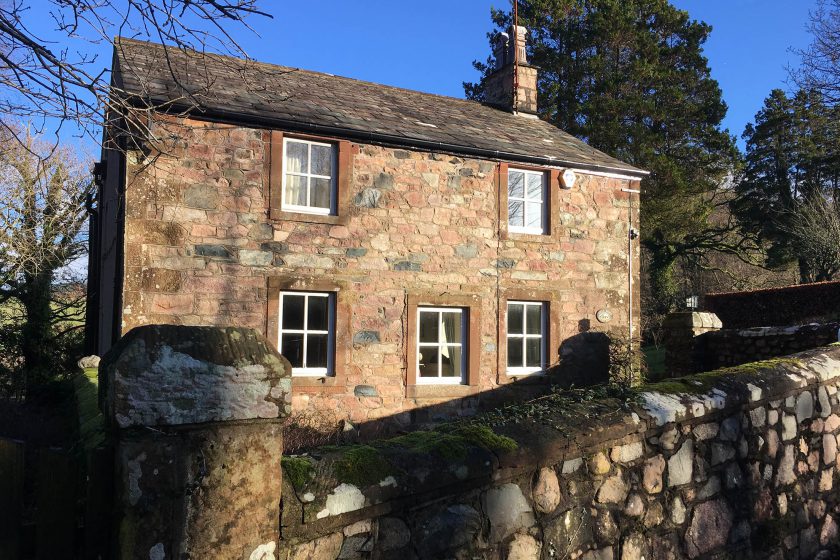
43	192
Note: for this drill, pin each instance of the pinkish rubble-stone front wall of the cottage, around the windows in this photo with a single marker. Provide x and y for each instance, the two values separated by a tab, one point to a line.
200	248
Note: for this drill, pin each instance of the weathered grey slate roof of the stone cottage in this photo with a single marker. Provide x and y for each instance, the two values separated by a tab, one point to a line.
240	91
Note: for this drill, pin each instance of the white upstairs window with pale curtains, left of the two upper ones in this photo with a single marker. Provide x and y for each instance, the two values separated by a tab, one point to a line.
309	176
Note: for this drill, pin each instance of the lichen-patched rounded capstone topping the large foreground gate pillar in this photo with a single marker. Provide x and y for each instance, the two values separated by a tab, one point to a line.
168	375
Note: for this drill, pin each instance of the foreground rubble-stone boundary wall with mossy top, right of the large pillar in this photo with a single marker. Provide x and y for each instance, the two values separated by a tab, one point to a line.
742	463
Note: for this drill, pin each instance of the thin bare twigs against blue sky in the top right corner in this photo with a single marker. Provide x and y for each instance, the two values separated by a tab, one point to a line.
820	62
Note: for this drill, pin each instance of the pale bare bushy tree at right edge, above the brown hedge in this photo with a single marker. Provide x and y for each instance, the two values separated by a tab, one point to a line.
815	228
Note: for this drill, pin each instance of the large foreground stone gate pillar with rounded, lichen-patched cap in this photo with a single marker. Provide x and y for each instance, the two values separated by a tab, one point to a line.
195	414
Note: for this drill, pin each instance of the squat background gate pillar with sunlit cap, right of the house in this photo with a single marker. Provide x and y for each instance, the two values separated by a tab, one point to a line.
681	329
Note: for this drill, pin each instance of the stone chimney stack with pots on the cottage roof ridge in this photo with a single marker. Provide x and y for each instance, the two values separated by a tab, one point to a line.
499	87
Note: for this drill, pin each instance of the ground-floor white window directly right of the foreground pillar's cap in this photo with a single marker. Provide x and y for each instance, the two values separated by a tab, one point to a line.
307	332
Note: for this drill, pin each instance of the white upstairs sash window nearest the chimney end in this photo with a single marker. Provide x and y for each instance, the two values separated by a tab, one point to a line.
526	201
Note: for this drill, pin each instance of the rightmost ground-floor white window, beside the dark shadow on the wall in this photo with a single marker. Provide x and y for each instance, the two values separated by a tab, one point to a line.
526	344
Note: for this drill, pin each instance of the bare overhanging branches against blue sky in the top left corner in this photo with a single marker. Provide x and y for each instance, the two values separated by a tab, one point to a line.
44	81
